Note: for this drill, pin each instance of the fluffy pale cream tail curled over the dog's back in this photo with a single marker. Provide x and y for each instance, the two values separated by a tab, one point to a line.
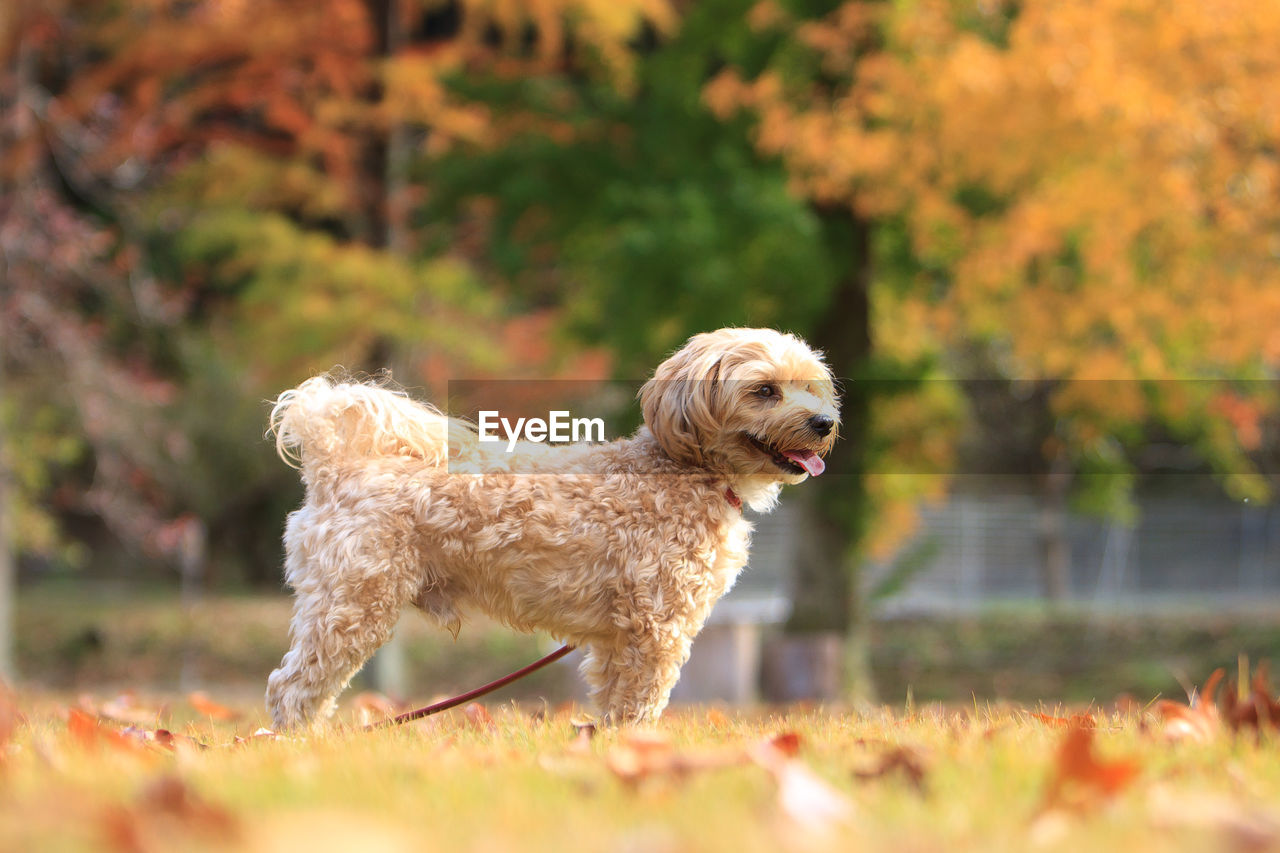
327	422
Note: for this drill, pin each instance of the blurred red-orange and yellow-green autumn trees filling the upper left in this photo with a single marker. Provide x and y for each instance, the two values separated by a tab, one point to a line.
209	202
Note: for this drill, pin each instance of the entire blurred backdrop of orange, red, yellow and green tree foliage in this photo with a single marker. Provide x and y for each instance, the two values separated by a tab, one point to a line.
203	202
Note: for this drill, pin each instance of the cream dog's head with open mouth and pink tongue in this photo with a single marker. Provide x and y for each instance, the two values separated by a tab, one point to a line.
757	405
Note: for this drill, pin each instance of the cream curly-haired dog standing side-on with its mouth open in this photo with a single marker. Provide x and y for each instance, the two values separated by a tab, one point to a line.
619	549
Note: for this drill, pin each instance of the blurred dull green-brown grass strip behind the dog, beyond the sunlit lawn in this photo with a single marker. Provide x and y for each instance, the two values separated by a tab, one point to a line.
75	637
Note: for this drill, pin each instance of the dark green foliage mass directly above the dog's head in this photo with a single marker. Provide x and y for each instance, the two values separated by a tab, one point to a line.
653	220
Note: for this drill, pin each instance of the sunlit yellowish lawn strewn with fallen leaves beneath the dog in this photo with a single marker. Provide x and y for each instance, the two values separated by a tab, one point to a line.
76	777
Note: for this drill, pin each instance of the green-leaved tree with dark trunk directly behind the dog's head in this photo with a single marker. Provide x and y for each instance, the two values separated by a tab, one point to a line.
652	217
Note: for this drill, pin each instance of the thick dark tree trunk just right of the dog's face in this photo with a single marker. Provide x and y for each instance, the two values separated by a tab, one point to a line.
826	597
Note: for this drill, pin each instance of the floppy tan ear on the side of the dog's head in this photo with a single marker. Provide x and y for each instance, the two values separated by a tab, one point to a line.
680	403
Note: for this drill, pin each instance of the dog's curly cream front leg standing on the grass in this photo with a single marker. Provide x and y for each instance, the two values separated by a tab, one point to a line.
633	678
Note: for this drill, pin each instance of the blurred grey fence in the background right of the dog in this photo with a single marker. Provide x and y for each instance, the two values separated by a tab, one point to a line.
989	548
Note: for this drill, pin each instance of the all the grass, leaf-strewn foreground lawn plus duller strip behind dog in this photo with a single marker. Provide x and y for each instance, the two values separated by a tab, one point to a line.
88	764
